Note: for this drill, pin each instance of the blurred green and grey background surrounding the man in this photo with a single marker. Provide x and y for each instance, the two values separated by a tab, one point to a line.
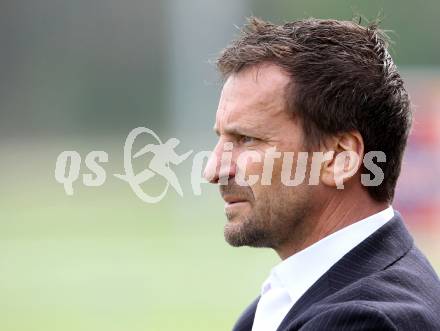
79	75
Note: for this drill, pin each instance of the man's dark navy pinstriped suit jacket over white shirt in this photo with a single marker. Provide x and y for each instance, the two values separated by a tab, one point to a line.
384	283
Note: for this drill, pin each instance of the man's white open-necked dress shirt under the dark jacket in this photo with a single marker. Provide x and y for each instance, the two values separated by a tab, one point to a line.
291	278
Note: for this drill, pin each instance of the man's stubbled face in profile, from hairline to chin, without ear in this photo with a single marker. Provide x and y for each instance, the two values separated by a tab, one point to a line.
252	115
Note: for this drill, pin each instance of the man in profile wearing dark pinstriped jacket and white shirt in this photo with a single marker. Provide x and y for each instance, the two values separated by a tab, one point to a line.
348	262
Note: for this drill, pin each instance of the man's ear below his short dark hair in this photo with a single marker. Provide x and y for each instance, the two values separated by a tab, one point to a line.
346	161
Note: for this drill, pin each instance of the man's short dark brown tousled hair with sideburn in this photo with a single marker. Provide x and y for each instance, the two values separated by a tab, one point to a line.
343	79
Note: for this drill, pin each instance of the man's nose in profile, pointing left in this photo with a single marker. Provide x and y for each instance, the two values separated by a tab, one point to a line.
221	166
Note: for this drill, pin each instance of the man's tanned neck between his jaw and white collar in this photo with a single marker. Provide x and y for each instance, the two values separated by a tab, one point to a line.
336	212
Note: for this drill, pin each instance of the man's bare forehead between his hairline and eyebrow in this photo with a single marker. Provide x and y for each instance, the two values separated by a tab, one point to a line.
253	97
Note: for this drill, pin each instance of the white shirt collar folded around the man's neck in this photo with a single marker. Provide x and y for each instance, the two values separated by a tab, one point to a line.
300	271
